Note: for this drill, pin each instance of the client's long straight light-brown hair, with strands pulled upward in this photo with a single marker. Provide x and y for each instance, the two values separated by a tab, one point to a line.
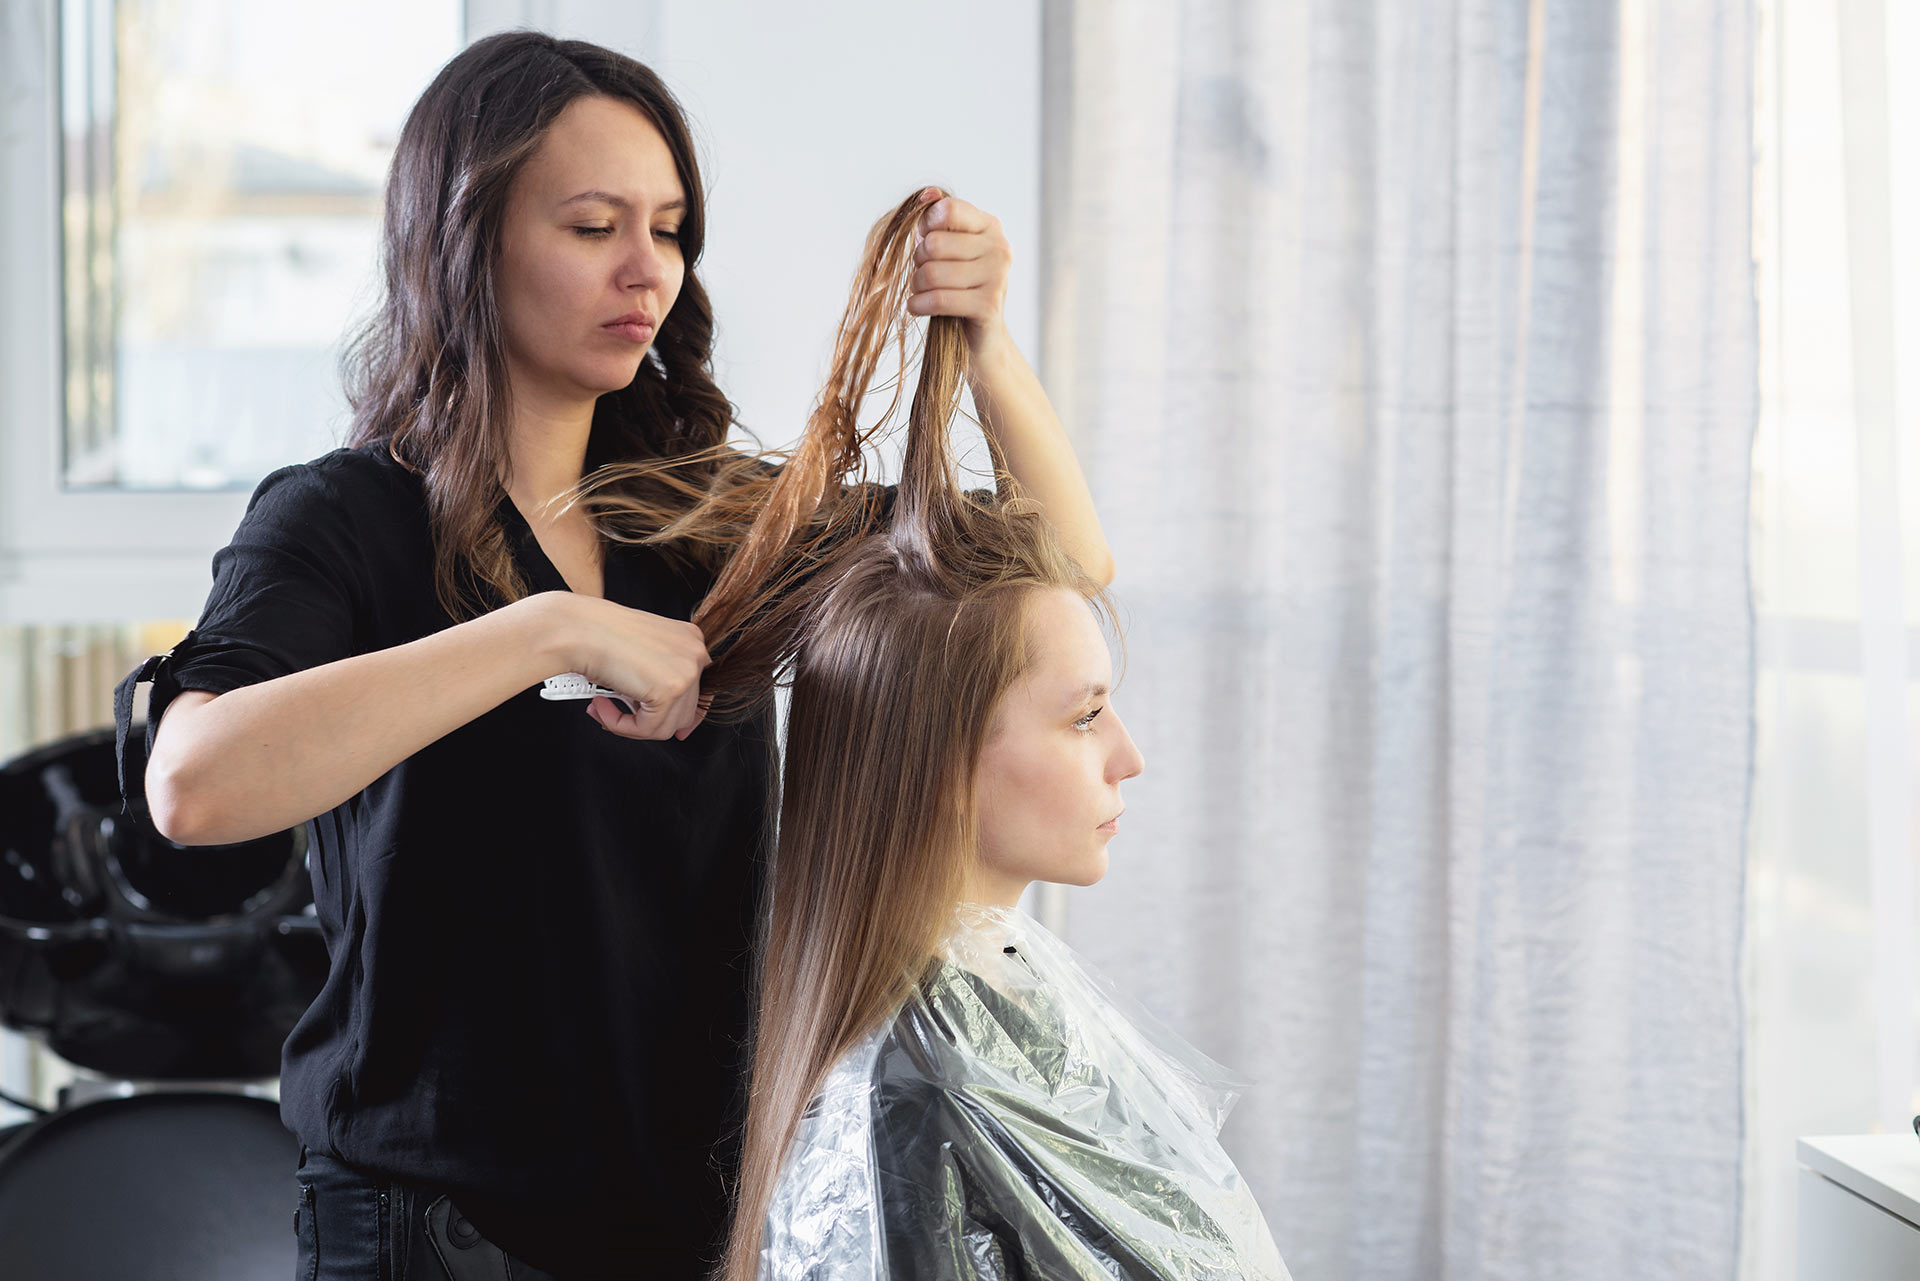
900	640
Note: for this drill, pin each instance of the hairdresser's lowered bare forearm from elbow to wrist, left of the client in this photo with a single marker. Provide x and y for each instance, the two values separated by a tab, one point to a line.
272	756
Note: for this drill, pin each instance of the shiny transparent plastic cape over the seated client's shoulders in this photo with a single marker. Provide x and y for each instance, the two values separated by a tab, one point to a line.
1017	1119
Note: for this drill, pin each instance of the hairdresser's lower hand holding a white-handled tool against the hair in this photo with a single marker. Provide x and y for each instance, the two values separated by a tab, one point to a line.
652	660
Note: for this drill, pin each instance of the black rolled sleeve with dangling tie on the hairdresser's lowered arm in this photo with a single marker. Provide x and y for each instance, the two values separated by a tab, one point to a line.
287	592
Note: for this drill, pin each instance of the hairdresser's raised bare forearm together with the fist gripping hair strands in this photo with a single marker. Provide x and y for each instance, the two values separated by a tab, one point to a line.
961	268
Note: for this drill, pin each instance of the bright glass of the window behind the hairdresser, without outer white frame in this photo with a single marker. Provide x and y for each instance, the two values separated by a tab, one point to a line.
222	187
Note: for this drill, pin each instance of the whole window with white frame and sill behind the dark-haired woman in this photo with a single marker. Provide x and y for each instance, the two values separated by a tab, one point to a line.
189	201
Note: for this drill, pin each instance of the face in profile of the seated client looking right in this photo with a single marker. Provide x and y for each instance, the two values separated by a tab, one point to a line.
1051	771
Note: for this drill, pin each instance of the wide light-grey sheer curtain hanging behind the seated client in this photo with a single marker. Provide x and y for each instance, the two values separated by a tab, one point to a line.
1412	356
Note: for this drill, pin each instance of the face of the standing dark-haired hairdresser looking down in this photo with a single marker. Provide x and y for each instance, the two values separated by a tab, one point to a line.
590	254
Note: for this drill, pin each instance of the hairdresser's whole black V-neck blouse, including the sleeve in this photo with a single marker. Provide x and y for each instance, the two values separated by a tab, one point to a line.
539	931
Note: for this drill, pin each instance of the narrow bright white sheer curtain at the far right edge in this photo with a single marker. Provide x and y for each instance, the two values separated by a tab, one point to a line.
1835	961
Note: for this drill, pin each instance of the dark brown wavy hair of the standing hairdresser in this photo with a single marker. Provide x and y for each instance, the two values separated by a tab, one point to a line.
427	374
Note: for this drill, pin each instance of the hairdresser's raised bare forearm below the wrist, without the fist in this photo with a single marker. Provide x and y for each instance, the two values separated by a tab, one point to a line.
1015	408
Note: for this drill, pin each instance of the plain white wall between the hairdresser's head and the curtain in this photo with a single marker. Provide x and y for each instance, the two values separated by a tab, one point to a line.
811	124
